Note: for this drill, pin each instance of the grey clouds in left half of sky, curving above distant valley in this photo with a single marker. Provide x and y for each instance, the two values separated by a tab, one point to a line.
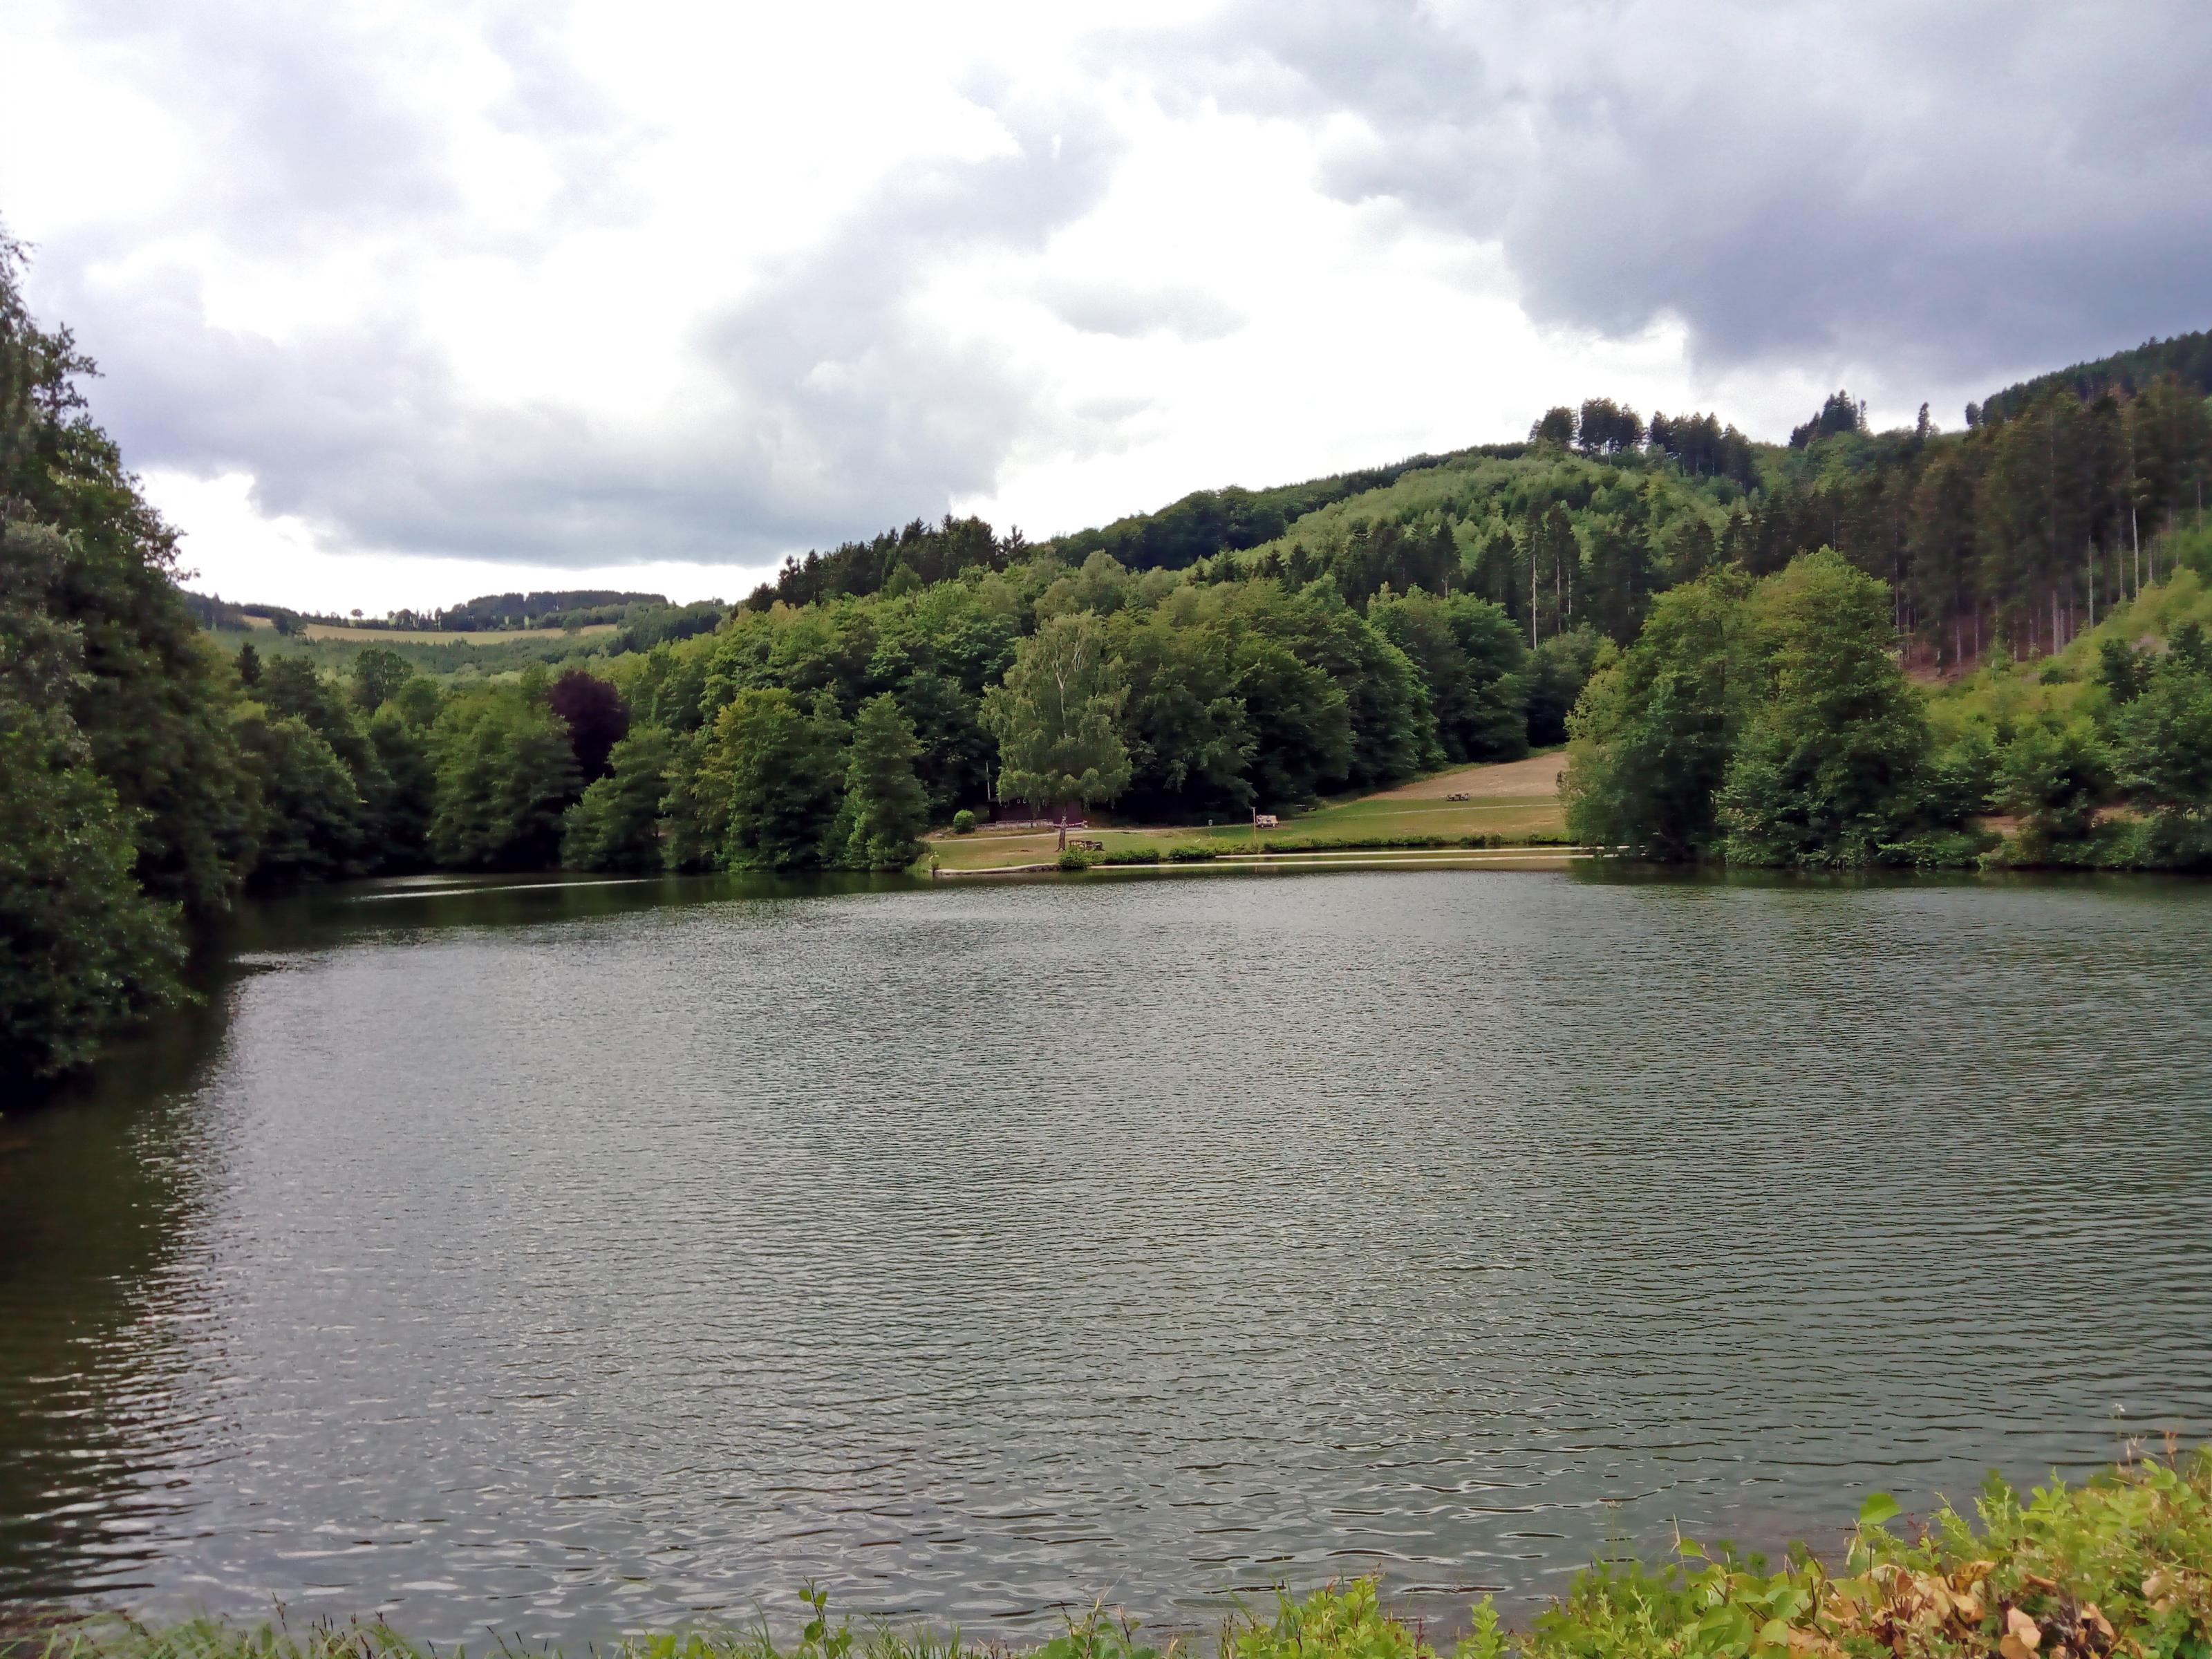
844	413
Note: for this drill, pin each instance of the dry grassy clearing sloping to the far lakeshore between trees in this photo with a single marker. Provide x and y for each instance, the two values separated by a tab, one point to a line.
1512	800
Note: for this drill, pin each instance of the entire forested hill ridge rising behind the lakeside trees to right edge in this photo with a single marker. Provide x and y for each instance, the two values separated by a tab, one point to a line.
2014	534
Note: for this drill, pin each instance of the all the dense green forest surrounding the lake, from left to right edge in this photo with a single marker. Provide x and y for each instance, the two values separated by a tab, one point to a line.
1722	627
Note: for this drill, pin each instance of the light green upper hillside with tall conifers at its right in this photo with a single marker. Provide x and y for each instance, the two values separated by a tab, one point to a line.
2003	541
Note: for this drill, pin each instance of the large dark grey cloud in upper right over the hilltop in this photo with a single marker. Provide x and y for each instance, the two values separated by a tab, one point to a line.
1952	191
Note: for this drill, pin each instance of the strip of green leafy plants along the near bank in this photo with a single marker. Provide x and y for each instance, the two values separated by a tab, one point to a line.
2120	1567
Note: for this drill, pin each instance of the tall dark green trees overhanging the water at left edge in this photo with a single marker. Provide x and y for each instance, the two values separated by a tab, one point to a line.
121	789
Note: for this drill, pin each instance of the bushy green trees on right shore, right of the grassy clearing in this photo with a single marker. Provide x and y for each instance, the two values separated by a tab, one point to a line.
1768	722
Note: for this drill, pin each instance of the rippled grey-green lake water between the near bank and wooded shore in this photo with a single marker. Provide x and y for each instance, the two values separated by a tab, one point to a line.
585	1260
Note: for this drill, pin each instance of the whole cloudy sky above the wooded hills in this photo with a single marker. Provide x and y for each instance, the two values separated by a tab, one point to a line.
410	302
